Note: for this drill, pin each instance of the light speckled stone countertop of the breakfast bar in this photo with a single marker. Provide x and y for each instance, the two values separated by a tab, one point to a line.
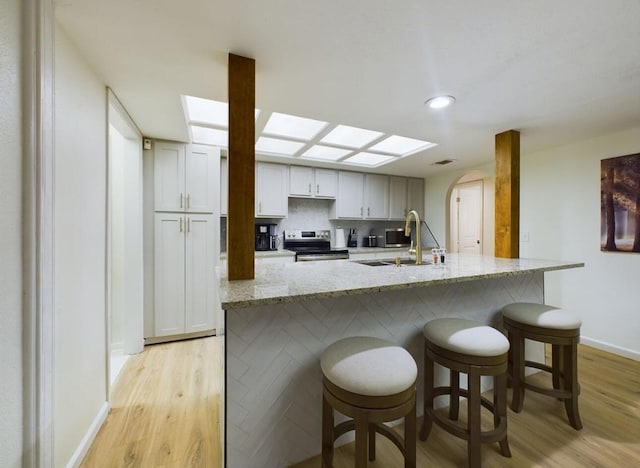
291	282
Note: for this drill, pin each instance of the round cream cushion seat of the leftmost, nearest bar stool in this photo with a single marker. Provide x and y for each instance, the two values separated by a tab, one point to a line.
369	366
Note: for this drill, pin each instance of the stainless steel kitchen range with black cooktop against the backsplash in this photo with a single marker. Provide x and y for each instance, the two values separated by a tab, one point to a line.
312	245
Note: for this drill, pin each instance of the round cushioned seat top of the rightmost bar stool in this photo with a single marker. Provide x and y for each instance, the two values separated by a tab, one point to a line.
541	315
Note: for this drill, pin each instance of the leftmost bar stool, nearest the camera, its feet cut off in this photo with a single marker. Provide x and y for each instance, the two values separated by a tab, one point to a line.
372	381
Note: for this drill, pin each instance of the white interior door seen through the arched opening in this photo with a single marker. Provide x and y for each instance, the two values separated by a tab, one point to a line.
468	204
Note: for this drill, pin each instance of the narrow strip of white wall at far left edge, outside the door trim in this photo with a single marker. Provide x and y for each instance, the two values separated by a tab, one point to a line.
10	238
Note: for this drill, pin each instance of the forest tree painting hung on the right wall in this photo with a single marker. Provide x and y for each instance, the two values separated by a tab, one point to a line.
620	204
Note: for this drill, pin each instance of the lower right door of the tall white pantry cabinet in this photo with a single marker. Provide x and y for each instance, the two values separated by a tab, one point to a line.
199	277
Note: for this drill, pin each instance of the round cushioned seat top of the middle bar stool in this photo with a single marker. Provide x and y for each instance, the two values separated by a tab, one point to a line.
466	337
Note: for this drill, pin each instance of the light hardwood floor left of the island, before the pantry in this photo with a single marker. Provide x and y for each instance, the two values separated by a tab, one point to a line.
164	409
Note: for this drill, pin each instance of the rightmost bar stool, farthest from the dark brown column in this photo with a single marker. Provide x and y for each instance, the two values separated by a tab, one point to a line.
546	324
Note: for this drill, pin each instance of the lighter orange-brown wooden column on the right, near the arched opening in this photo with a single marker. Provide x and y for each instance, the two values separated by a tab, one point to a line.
507	208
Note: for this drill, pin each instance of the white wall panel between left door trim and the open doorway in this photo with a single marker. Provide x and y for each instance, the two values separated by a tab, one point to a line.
80	197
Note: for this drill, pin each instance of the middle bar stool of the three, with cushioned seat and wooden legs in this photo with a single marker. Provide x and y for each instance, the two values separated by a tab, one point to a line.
476	350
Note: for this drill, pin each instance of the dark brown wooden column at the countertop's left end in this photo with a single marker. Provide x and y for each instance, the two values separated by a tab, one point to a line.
241	165
